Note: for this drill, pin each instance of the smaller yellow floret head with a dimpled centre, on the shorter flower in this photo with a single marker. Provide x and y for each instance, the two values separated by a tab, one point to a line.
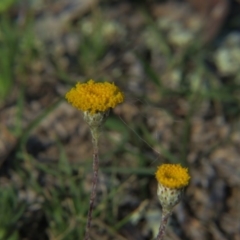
173	176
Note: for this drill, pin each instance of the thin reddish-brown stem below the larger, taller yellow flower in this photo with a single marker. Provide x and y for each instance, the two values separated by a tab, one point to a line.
94	185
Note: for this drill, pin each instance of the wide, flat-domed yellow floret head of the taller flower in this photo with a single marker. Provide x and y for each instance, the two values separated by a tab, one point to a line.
95	97
